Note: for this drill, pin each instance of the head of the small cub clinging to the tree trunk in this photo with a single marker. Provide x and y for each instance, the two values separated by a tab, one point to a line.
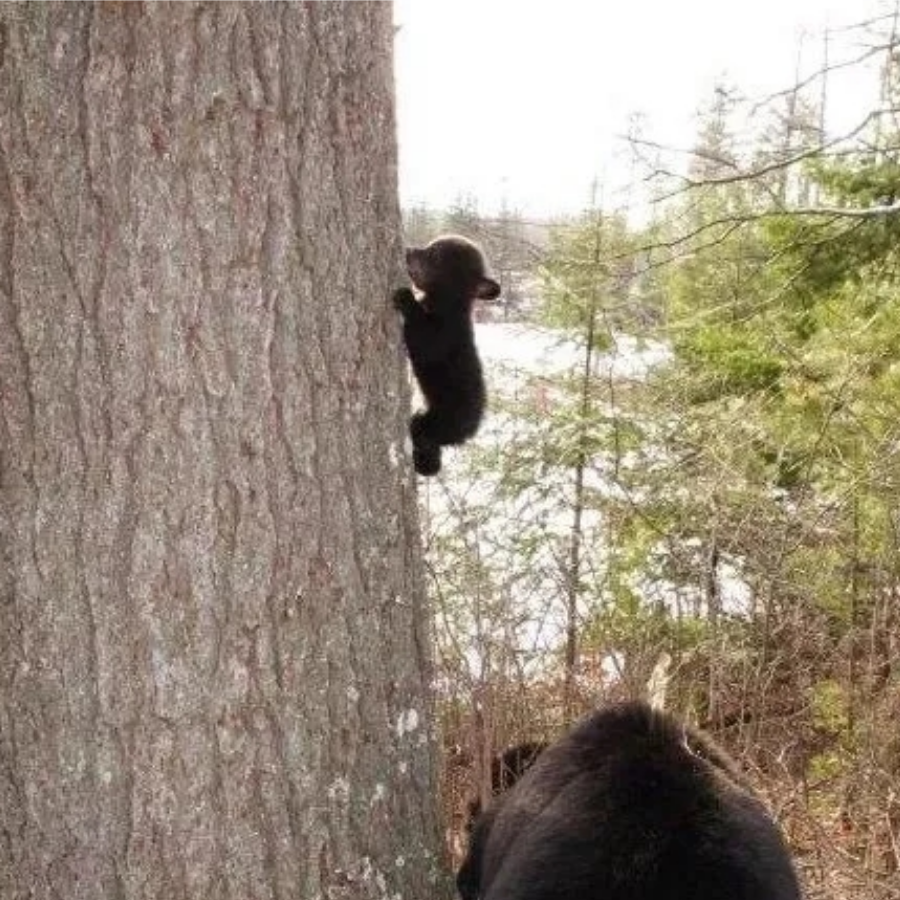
451	265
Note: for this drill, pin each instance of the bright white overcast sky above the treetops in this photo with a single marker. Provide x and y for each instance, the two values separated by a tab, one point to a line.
522	100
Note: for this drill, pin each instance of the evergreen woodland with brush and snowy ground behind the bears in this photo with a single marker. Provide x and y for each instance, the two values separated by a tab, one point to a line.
690	482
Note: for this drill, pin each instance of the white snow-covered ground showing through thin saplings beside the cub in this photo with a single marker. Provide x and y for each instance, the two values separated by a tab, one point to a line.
522	536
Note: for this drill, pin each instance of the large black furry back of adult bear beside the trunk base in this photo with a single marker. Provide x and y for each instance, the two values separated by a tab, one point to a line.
630	805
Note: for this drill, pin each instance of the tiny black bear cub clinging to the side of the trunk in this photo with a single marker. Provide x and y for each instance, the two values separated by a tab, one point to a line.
440	341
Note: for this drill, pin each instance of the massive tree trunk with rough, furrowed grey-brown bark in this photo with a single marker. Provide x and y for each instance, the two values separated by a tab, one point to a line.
213	650
